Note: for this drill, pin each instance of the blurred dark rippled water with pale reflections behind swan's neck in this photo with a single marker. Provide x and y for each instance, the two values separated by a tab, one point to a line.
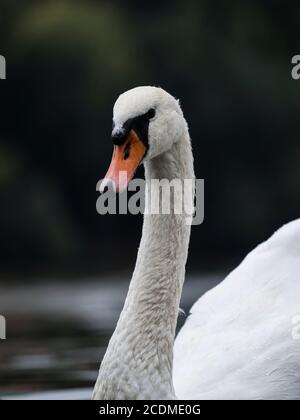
57	333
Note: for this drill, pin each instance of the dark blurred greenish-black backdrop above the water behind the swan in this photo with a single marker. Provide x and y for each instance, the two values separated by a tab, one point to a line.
229	63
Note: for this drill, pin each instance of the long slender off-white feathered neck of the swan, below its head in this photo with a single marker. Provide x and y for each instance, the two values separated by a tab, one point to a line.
139	359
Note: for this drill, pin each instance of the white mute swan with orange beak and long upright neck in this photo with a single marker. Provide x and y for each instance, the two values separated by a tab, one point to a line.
237	342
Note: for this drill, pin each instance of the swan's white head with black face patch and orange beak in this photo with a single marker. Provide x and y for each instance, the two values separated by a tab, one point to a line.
147	121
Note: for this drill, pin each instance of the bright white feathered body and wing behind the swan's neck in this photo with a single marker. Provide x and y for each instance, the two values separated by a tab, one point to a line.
242	339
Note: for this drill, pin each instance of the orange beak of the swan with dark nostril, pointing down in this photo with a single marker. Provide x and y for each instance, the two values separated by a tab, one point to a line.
125	161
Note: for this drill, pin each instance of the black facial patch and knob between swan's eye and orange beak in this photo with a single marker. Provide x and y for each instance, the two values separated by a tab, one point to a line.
139	124
